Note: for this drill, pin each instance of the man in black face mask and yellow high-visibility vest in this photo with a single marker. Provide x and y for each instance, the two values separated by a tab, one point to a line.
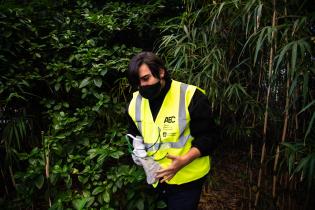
174	121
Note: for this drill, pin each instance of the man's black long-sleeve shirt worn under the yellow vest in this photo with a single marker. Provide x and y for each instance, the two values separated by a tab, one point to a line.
202	125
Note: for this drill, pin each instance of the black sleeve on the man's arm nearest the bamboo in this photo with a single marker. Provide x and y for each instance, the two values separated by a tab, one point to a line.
202	126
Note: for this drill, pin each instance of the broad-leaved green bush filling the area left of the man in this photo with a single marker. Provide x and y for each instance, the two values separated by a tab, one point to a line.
64	64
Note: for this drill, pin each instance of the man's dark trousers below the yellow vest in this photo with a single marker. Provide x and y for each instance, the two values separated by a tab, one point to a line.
181	197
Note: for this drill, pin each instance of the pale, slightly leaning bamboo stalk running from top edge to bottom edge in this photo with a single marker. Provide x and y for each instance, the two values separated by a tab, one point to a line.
263	150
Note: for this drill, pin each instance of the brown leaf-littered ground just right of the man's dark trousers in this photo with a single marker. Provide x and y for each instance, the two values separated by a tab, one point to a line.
226	185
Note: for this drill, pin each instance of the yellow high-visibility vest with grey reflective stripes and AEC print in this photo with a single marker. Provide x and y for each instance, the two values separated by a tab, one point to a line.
170	132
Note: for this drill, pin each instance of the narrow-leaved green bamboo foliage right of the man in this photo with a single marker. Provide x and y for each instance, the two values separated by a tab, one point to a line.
257	73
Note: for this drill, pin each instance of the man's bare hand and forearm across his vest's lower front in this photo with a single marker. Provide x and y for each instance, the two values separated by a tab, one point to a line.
178	162
